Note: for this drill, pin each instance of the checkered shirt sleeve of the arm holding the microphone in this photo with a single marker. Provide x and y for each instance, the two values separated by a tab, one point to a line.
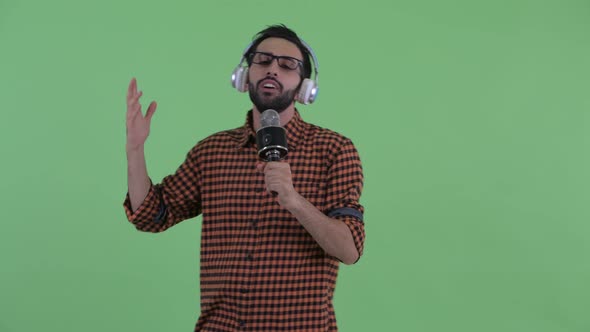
343	192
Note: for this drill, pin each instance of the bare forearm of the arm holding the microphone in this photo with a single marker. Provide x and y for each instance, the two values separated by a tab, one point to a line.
331	234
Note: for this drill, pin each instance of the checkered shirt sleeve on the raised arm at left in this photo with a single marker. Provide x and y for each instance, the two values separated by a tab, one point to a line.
175	199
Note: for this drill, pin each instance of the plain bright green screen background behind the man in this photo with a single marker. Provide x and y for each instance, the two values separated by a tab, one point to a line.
471	118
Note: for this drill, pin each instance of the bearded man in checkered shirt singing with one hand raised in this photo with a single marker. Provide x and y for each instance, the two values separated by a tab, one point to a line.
273	233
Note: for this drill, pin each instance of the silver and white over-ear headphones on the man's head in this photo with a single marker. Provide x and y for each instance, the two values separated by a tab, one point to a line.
308	91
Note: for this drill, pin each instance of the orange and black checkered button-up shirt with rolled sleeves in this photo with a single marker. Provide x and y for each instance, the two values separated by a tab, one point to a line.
260	269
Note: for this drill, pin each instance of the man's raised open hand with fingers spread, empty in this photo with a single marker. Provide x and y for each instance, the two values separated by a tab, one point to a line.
138	125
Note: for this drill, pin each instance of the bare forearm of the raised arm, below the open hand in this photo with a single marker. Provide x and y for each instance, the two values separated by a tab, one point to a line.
138	182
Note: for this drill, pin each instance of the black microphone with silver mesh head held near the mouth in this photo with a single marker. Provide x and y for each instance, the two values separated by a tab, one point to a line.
271	138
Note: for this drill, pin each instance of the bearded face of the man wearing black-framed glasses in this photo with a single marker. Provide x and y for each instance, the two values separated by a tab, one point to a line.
270	85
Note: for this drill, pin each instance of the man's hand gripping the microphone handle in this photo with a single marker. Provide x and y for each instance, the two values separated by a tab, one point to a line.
277	177
